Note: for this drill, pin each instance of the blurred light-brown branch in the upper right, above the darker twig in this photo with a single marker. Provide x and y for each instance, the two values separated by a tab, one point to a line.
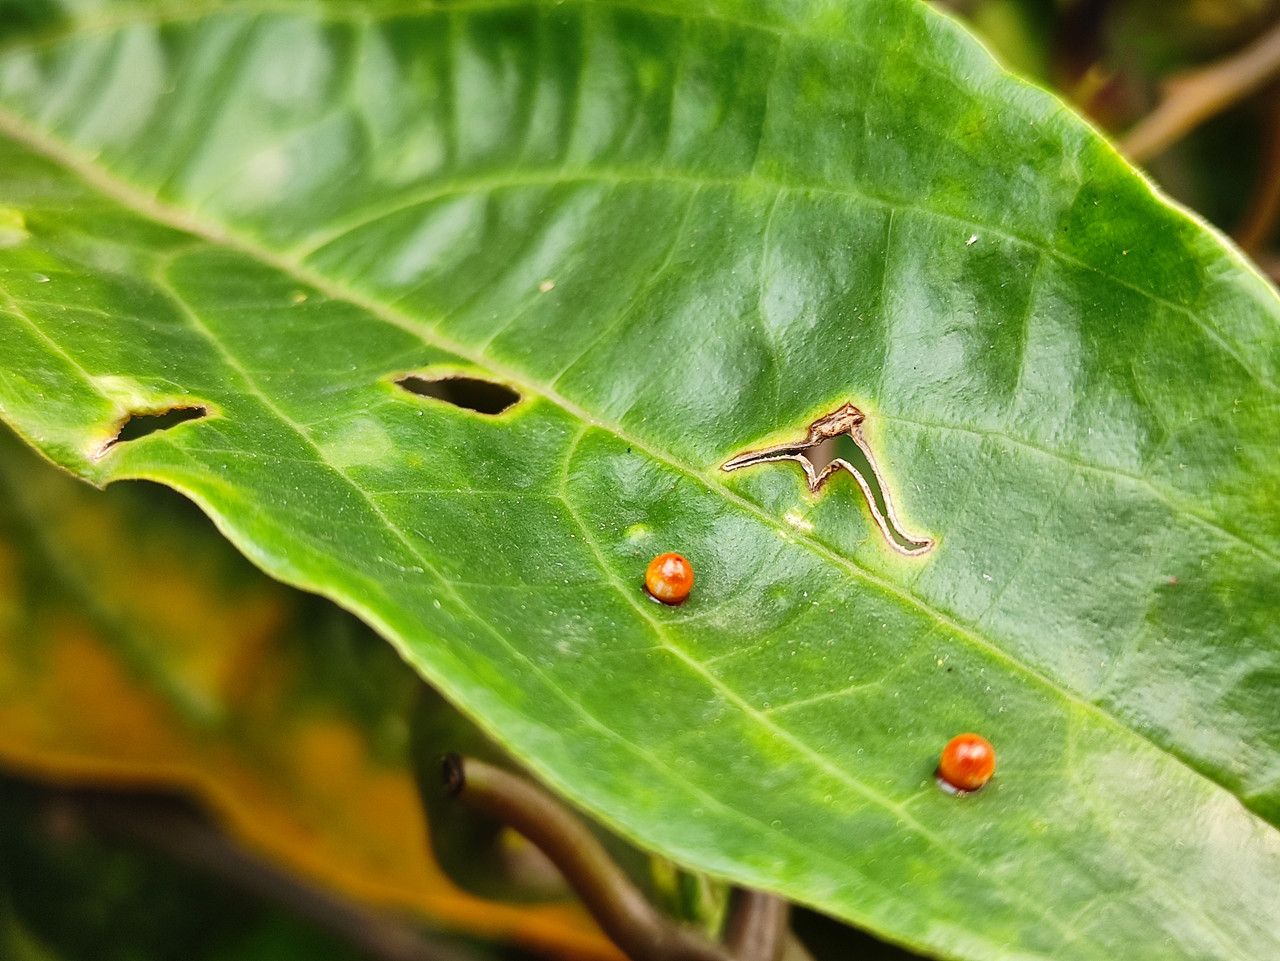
1197	95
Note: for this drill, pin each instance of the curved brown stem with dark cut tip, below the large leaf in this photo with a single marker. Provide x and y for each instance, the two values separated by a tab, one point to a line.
618	905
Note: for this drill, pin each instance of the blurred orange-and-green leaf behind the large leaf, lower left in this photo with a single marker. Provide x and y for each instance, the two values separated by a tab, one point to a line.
140	652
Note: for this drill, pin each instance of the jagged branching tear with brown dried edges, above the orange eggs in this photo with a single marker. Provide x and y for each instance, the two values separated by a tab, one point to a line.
845	420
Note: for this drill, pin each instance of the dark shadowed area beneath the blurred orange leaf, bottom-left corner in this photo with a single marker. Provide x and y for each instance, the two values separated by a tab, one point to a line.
117	876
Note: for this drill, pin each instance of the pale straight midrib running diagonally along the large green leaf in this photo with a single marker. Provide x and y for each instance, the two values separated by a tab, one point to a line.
103	180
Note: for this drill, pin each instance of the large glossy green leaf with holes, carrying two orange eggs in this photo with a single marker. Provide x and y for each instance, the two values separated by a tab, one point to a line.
682	231
